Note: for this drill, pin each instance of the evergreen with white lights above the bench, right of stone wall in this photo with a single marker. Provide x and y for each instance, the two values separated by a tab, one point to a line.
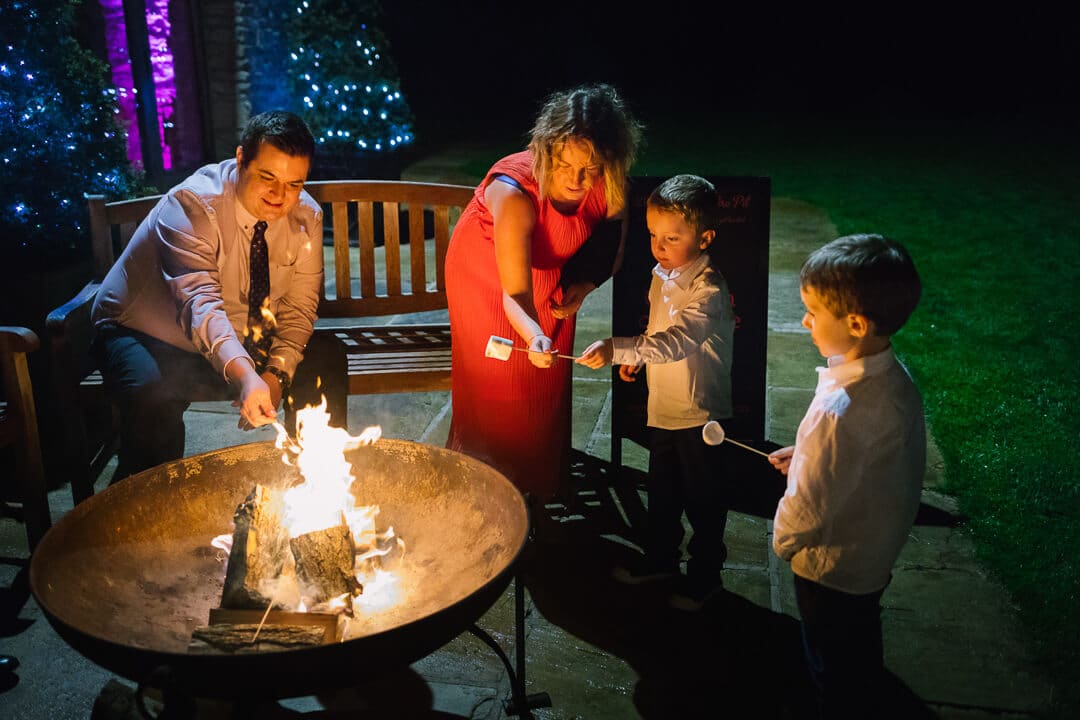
345	85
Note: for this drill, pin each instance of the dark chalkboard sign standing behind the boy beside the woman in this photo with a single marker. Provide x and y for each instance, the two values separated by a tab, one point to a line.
741	253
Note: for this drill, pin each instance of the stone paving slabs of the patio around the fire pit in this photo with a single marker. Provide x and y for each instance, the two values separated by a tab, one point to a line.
603	651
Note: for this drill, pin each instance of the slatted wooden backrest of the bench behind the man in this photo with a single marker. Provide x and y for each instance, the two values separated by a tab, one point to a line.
371	224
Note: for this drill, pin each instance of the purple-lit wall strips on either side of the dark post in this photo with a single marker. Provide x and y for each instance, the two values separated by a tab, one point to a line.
165	80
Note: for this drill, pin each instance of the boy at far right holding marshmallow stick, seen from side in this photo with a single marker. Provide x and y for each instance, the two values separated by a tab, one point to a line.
855	474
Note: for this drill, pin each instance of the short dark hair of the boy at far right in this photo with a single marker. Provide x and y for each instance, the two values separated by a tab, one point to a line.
866	275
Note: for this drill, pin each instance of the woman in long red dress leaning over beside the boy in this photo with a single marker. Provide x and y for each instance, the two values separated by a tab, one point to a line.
531	214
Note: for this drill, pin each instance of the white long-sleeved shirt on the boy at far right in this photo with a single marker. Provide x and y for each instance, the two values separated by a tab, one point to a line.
855	481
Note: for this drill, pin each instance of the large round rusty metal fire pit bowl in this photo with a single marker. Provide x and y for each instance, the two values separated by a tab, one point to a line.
127	576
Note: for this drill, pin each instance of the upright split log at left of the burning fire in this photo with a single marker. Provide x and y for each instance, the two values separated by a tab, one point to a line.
260	555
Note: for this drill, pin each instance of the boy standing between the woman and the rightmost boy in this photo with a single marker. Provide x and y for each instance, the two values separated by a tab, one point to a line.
687	351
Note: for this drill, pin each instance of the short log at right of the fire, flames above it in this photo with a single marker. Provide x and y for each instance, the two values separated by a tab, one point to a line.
326	562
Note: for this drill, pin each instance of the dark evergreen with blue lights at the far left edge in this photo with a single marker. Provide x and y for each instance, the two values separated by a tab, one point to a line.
59	135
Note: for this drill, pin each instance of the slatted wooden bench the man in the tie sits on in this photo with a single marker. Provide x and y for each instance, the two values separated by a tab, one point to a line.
386	266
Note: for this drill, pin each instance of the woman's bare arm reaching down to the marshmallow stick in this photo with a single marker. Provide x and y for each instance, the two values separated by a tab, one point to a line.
515	220
